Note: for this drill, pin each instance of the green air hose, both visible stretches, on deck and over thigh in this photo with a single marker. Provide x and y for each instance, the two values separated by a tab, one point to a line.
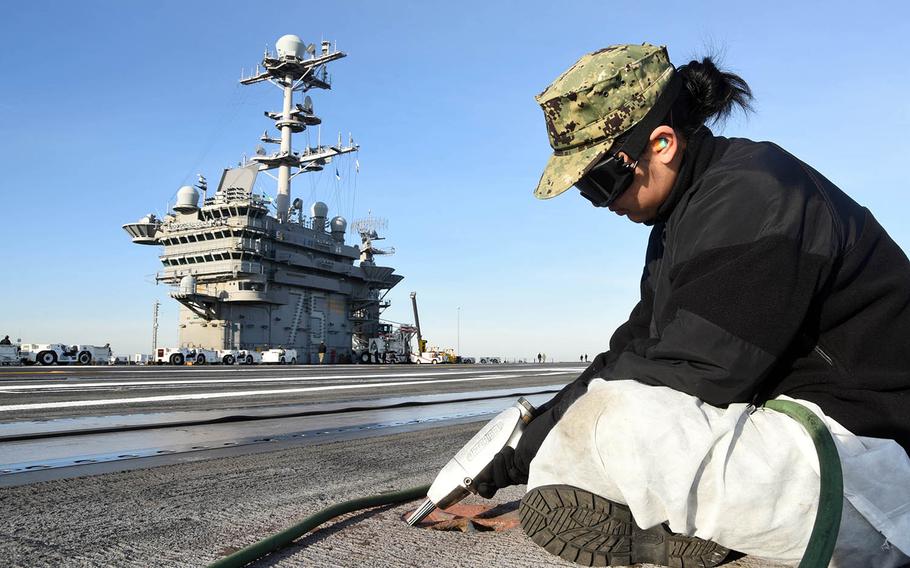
818	551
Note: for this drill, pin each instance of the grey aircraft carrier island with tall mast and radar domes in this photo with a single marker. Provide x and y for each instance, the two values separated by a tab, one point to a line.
250	279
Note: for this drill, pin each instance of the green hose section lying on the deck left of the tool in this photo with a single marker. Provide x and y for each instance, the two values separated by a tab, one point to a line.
280	540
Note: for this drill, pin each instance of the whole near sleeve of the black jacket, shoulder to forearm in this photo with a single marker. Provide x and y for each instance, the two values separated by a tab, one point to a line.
746	260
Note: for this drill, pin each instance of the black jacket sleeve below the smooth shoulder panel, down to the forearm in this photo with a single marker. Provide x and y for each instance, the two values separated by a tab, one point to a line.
730	316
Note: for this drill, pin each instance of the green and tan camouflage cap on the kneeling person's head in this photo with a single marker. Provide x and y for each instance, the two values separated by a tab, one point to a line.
604	94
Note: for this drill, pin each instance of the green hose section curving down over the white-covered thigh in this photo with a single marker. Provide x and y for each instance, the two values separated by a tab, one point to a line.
831	491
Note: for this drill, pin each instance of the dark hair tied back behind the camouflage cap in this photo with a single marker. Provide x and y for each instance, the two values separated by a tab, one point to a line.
709	95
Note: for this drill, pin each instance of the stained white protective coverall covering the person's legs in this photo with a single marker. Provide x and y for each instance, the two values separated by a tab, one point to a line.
744	478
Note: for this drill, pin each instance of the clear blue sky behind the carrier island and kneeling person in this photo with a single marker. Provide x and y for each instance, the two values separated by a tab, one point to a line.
106	108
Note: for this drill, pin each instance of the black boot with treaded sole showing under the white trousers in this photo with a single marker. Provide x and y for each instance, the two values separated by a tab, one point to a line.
587	529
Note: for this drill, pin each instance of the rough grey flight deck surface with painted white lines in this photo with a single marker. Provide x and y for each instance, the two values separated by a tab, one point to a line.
191	508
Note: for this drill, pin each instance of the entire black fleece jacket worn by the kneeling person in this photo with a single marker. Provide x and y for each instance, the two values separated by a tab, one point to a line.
763	278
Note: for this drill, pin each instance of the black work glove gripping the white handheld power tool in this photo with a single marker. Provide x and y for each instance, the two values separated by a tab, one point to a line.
511	467
